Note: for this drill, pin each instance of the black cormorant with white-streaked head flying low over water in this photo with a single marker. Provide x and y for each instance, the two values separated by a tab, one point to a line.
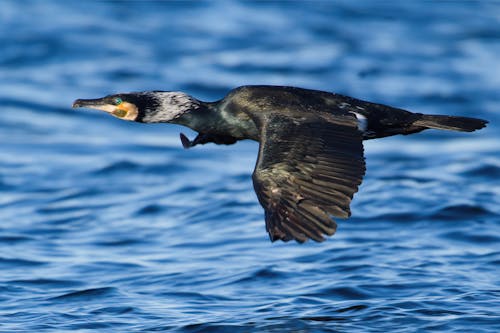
310	160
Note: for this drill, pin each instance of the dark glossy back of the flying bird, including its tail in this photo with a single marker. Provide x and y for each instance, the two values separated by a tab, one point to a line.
262	102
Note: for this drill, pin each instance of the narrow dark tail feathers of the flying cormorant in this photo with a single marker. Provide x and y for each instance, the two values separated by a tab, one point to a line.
451	123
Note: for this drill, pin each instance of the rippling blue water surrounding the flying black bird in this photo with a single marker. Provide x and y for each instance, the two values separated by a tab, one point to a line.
110	226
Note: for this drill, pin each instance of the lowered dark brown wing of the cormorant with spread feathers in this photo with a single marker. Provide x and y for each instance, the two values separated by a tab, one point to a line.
307	170
